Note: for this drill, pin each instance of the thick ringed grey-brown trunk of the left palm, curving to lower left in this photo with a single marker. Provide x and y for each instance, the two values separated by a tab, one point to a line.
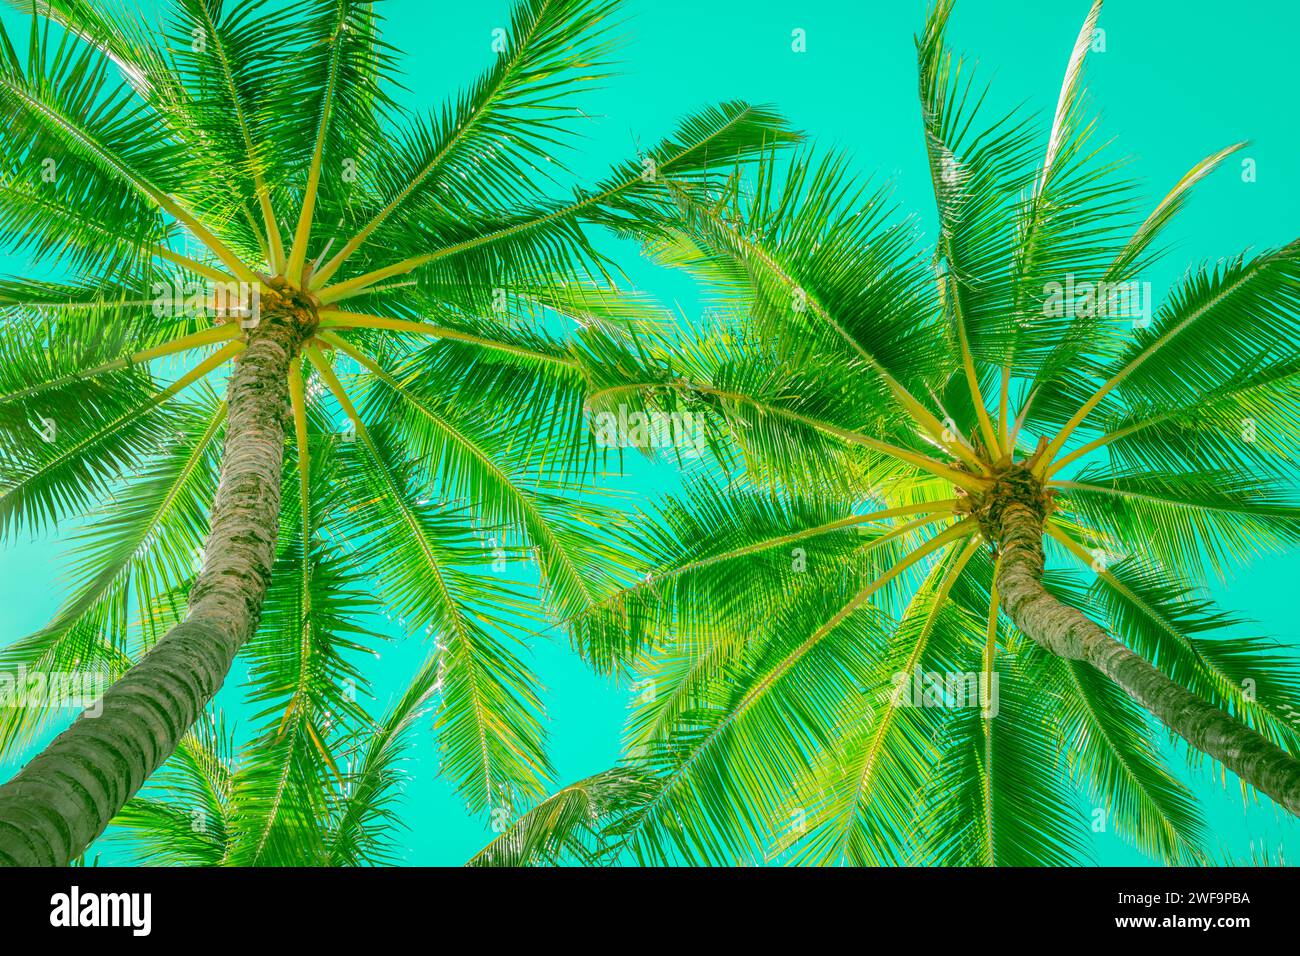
66	797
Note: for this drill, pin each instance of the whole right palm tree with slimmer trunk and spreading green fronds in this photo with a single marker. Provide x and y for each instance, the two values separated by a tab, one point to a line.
960	572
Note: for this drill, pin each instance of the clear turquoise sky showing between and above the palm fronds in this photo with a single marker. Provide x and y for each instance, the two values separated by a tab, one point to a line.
1178	80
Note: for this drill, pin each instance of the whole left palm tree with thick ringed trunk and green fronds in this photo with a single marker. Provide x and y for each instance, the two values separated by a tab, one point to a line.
239	194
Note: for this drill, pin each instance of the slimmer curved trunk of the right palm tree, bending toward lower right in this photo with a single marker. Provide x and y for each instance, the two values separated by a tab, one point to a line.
1067	633
